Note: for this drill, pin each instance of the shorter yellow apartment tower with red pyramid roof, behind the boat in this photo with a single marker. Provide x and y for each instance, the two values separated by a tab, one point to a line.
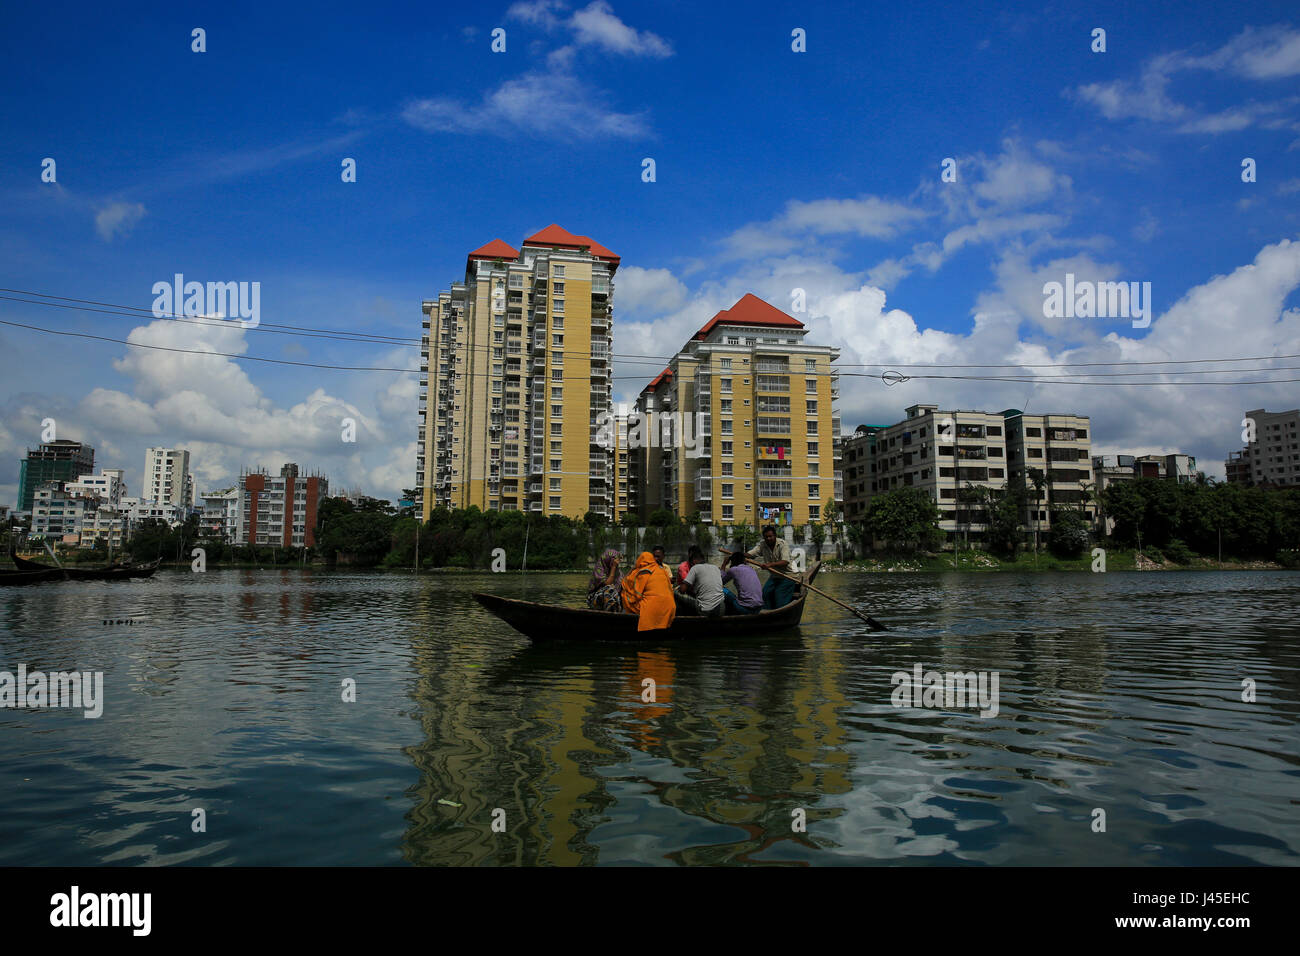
742	426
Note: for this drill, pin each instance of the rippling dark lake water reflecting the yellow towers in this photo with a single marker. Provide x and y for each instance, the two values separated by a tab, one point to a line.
466	745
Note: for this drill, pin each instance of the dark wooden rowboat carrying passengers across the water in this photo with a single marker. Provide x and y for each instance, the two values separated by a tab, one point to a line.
548	622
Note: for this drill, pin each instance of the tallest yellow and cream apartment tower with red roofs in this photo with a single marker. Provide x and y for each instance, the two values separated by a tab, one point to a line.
515	371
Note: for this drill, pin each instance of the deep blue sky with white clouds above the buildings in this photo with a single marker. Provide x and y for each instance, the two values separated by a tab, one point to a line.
775	171
